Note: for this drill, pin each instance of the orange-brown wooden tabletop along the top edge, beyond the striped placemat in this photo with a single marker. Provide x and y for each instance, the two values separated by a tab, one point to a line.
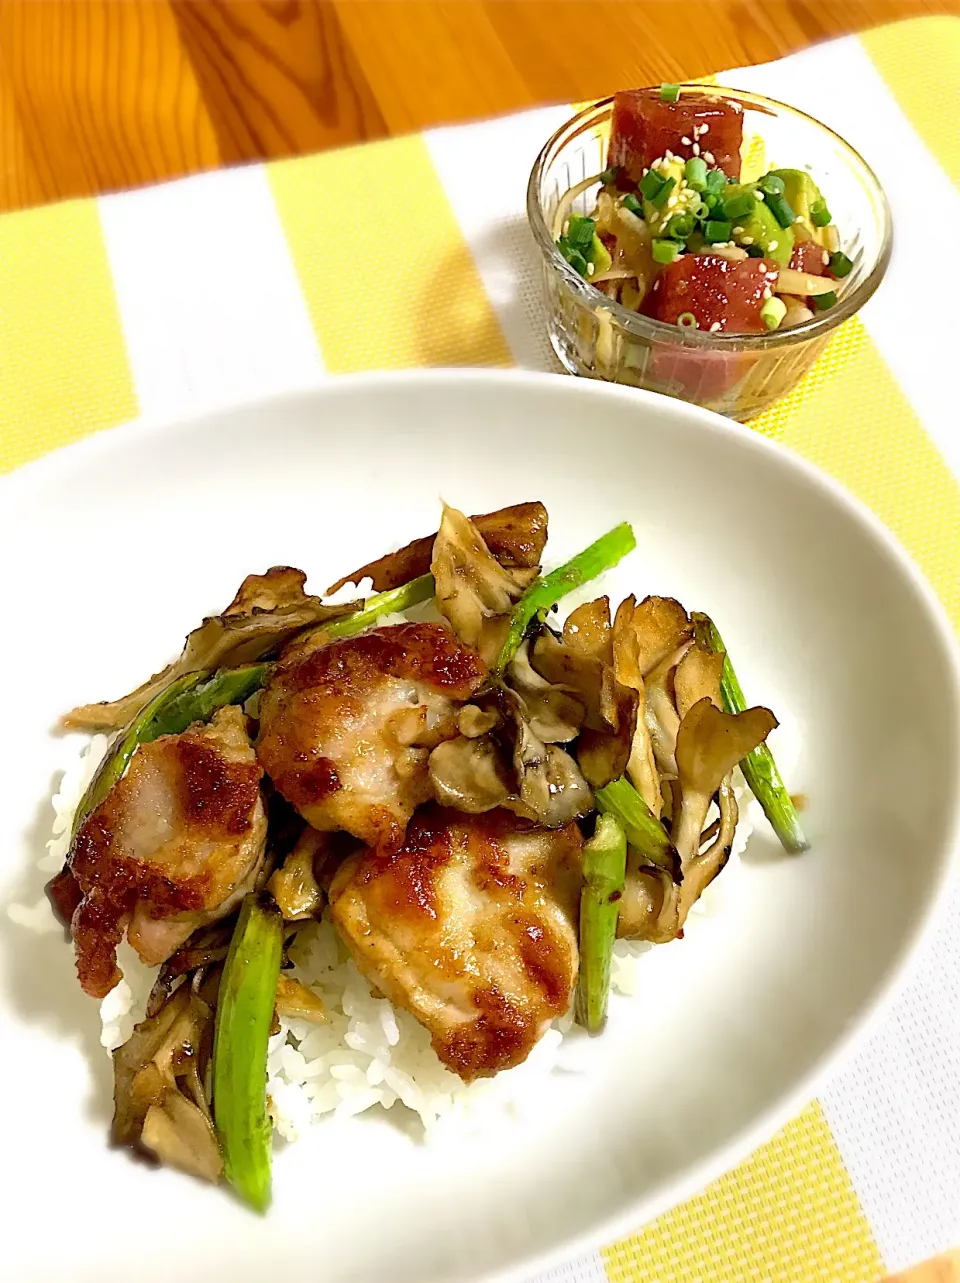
105	94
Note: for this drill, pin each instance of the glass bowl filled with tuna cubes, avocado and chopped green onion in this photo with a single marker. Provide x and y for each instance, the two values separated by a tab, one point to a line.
704	243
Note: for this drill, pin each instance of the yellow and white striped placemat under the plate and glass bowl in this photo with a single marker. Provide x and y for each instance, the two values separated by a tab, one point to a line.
238	284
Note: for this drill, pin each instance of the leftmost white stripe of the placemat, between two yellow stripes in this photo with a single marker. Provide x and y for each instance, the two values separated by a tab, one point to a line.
210	301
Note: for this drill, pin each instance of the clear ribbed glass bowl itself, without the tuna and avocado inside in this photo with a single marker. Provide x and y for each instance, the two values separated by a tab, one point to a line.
736	375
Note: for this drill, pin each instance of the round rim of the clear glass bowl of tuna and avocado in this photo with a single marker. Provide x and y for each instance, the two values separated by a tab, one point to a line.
660	332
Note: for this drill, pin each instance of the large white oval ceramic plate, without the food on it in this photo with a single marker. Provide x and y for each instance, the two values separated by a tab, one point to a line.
112	550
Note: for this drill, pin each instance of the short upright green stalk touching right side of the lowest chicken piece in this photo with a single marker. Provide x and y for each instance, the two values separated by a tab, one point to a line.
605	874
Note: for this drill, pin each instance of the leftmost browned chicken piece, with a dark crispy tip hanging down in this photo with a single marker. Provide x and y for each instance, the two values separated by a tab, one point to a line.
175	845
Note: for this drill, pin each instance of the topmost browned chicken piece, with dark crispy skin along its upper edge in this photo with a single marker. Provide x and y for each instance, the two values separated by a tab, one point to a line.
347	728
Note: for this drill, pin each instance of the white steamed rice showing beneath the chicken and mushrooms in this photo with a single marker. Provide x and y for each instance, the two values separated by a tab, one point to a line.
369	1053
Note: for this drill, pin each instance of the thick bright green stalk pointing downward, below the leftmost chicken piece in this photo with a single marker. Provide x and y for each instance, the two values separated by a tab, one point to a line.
248	991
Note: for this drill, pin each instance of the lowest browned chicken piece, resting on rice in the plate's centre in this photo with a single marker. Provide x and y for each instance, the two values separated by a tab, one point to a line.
472	928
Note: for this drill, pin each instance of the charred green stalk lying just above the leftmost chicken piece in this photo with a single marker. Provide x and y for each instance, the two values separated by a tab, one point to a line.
187	700
